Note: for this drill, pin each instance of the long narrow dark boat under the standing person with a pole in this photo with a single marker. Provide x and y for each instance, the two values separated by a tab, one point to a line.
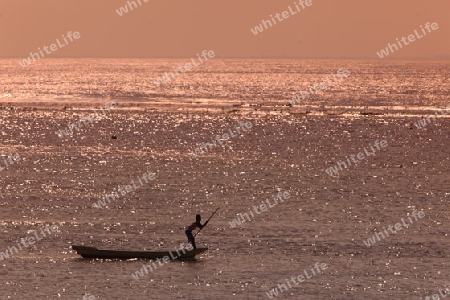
92	252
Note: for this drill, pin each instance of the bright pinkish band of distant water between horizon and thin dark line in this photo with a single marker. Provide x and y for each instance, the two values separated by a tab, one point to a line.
371	83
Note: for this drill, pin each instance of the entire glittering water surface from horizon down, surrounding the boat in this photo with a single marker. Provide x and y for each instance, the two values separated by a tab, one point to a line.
326	219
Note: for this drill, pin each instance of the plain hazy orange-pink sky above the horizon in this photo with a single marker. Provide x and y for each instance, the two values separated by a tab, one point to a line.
182	28
